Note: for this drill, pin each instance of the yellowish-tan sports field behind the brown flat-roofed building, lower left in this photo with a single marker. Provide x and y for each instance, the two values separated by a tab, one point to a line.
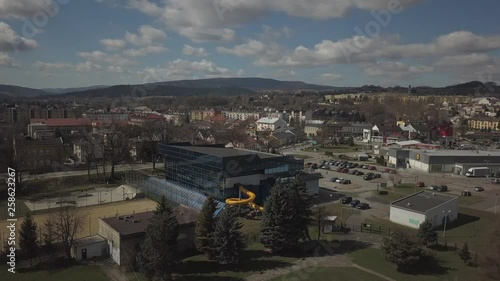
95	212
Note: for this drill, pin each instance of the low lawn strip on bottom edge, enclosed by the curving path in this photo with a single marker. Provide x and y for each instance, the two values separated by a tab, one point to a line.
327	273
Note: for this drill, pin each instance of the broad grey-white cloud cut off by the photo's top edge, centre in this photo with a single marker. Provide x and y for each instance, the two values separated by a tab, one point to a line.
199	20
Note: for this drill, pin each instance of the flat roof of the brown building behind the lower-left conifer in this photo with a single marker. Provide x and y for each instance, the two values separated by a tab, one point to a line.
137	223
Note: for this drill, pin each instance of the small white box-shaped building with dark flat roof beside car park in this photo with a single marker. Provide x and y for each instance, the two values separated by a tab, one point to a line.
413	210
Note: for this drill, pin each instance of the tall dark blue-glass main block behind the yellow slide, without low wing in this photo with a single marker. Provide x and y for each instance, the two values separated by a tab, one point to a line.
220	171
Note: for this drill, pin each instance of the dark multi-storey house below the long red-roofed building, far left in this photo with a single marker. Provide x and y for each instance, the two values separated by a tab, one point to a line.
38	154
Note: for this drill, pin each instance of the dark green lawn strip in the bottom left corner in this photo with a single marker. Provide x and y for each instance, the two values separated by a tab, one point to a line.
75	273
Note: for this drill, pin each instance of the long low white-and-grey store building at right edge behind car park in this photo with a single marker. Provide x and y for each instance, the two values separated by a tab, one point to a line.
443	161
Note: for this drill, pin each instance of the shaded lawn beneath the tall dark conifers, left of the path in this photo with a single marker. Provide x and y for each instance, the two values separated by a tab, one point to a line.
255	259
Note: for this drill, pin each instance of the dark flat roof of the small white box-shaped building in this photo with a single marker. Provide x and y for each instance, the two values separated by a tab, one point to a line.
423	201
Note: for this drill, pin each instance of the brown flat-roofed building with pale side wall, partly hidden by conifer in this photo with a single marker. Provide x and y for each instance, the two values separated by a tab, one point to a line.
125	233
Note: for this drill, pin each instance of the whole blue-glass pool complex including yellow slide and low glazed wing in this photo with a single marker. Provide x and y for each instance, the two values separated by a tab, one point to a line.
233	176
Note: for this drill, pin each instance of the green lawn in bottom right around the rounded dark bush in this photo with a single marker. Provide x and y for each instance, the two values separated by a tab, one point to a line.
449	266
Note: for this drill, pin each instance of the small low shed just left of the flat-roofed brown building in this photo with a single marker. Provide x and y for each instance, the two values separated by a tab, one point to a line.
90	247
